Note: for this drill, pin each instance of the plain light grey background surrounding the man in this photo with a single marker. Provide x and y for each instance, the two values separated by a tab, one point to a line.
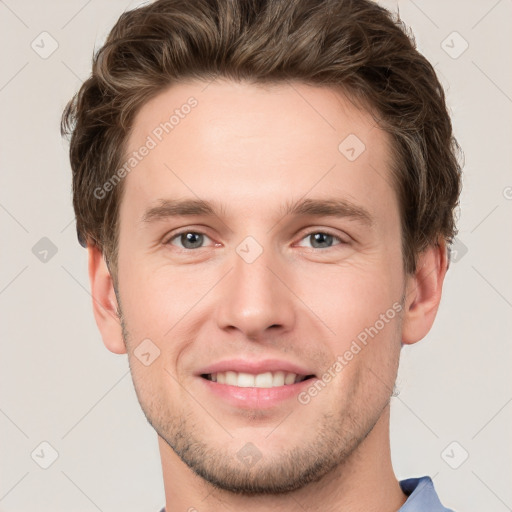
59	384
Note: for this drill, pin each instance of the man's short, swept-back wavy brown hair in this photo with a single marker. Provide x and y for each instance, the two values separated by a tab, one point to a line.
354	45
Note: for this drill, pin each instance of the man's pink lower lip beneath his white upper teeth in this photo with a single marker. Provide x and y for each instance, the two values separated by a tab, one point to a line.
256	398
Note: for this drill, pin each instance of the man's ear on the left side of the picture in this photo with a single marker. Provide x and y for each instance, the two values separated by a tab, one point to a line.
104	302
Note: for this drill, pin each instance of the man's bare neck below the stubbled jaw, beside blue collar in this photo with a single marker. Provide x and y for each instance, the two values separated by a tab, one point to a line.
364	482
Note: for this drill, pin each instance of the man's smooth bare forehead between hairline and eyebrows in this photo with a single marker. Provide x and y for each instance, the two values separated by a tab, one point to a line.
254	146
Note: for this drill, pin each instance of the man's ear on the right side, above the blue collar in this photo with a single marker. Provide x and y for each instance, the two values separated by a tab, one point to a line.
423	292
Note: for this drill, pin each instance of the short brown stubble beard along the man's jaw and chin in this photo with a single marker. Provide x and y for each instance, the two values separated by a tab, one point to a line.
323	451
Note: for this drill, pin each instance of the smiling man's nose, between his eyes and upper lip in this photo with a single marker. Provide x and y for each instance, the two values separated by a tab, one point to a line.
256	298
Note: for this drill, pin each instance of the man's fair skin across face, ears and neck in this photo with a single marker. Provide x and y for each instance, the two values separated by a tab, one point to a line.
254	149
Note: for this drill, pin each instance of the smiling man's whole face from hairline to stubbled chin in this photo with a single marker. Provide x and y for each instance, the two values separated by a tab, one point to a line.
253	289
